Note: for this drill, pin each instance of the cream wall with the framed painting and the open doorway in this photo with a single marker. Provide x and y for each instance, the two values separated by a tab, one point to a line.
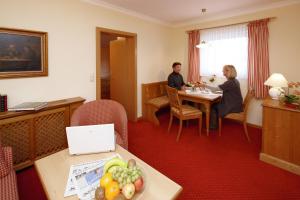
71	27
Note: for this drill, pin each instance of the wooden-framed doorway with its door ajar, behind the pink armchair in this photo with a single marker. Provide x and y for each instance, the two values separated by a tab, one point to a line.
116	68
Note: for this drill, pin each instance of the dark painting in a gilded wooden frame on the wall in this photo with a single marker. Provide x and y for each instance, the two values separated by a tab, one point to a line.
23	53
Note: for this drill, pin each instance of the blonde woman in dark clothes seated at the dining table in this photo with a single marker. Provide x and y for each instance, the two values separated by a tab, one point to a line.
232	100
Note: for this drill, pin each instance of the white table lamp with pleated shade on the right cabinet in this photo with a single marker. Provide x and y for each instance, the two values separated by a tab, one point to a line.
276	81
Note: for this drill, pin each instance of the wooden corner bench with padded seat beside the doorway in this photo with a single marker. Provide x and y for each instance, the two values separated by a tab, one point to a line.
154	97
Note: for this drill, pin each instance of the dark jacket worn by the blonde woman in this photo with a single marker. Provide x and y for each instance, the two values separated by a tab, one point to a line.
232	100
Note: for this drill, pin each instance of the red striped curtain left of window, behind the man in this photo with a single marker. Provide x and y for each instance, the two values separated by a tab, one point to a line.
193	56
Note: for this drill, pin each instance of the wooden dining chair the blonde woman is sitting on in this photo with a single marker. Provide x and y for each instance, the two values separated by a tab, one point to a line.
240	117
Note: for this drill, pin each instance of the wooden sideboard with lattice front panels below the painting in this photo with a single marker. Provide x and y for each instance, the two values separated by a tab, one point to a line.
36	134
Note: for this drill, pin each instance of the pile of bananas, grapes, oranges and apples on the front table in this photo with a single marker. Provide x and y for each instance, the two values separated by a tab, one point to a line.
121	180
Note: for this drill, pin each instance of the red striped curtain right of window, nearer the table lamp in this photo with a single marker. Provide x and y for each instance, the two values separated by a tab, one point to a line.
258	57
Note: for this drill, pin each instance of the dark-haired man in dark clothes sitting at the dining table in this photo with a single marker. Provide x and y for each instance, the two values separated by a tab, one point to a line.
175	79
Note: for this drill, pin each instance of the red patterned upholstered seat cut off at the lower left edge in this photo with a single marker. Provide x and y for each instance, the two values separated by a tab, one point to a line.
8	180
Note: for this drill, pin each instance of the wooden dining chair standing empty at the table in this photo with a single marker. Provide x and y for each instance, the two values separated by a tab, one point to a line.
182	112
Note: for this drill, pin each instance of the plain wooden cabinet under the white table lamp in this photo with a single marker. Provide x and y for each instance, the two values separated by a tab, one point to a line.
281	136
